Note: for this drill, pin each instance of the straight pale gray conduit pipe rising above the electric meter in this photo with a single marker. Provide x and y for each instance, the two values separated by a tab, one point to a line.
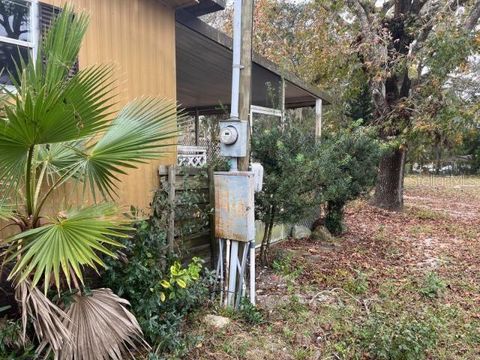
237	44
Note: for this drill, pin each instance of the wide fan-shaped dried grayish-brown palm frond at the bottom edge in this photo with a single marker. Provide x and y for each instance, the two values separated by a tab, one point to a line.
102	328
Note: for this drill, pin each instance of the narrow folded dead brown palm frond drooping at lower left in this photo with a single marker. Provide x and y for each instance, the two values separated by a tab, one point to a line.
49	321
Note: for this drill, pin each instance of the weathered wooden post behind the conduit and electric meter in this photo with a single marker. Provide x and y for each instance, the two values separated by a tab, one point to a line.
246	75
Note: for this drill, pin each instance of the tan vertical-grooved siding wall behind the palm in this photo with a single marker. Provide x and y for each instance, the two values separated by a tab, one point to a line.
138	38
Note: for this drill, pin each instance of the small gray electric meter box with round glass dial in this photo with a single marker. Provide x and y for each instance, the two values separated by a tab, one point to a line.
233	135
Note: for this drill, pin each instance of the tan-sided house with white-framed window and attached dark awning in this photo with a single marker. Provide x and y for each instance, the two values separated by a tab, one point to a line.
158	48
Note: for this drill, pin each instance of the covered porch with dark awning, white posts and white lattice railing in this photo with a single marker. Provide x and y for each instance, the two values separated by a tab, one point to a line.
204	70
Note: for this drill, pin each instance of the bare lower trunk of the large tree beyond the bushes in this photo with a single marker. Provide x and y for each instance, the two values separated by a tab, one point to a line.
389	188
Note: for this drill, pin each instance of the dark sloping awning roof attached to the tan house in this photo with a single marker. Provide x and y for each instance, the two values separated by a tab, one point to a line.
204	60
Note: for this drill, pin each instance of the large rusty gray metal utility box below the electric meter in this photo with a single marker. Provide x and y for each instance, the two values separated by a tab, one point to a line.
234	205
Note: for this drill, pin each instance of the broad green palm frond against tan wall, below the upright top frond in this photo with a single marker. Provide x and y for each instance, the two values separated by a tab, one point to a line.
72	111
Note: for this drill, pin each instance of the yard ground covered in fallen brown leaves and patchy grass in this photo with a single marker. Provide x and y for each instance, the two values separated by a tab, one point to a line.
394	286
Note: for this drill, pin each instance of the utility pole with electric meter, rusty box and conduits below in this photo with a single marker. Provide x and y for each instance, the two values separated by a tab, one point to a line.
234	190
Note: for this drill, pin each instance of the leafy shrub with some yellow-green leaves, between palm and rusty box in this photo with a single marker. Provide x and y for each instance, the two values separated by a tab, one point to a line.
142	279
